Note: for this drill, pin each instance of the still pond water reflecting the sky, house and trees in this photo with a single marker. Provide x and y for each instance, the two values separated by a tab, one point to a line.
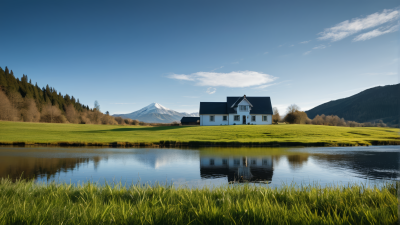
203	166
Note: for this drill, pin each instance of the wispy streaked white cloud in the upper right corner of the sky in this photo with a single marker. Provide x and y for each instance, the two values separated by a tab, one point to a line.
347	28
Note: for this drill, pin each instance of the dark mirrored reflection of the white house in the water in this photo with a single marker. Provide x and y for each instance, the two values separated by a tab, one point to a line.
237	168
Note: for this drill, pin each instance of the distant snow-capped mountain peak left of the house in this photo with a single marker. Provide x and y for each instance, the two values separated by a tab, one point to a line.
156	113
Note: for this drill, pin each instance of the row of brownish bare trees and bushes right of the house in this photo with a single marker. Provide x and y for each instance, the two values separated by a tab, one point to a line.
295	116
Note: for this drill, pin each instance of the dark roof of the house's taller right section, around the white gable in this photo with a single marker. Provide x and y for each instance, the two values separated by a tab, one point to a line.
261	105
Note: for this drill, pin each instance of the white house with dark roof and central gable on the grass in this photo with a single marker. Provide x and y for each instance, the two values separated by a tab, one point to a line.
236	110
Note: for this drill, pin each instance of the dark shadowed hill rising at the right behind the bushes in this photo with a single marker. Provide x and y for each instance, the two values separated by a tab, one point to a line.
377	103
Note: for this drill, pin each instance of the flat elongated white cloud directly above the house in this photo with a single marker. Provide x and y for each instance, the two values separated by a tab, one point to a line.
231	79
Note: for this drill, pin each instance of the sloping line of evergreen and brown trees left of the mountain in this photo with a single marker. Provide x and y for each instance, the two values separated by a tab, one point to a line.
20	100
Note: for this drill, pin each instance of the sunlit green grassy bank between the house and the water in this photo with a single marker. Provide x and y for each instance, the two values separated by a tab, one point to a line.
282	135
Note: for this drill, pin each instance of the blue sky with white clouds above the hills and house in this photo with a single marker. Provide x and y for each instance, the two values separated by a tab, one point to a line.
128	54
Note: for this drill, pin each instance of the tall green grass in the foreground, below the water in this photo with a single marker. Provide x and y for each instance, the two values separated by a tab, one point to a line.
29	203
